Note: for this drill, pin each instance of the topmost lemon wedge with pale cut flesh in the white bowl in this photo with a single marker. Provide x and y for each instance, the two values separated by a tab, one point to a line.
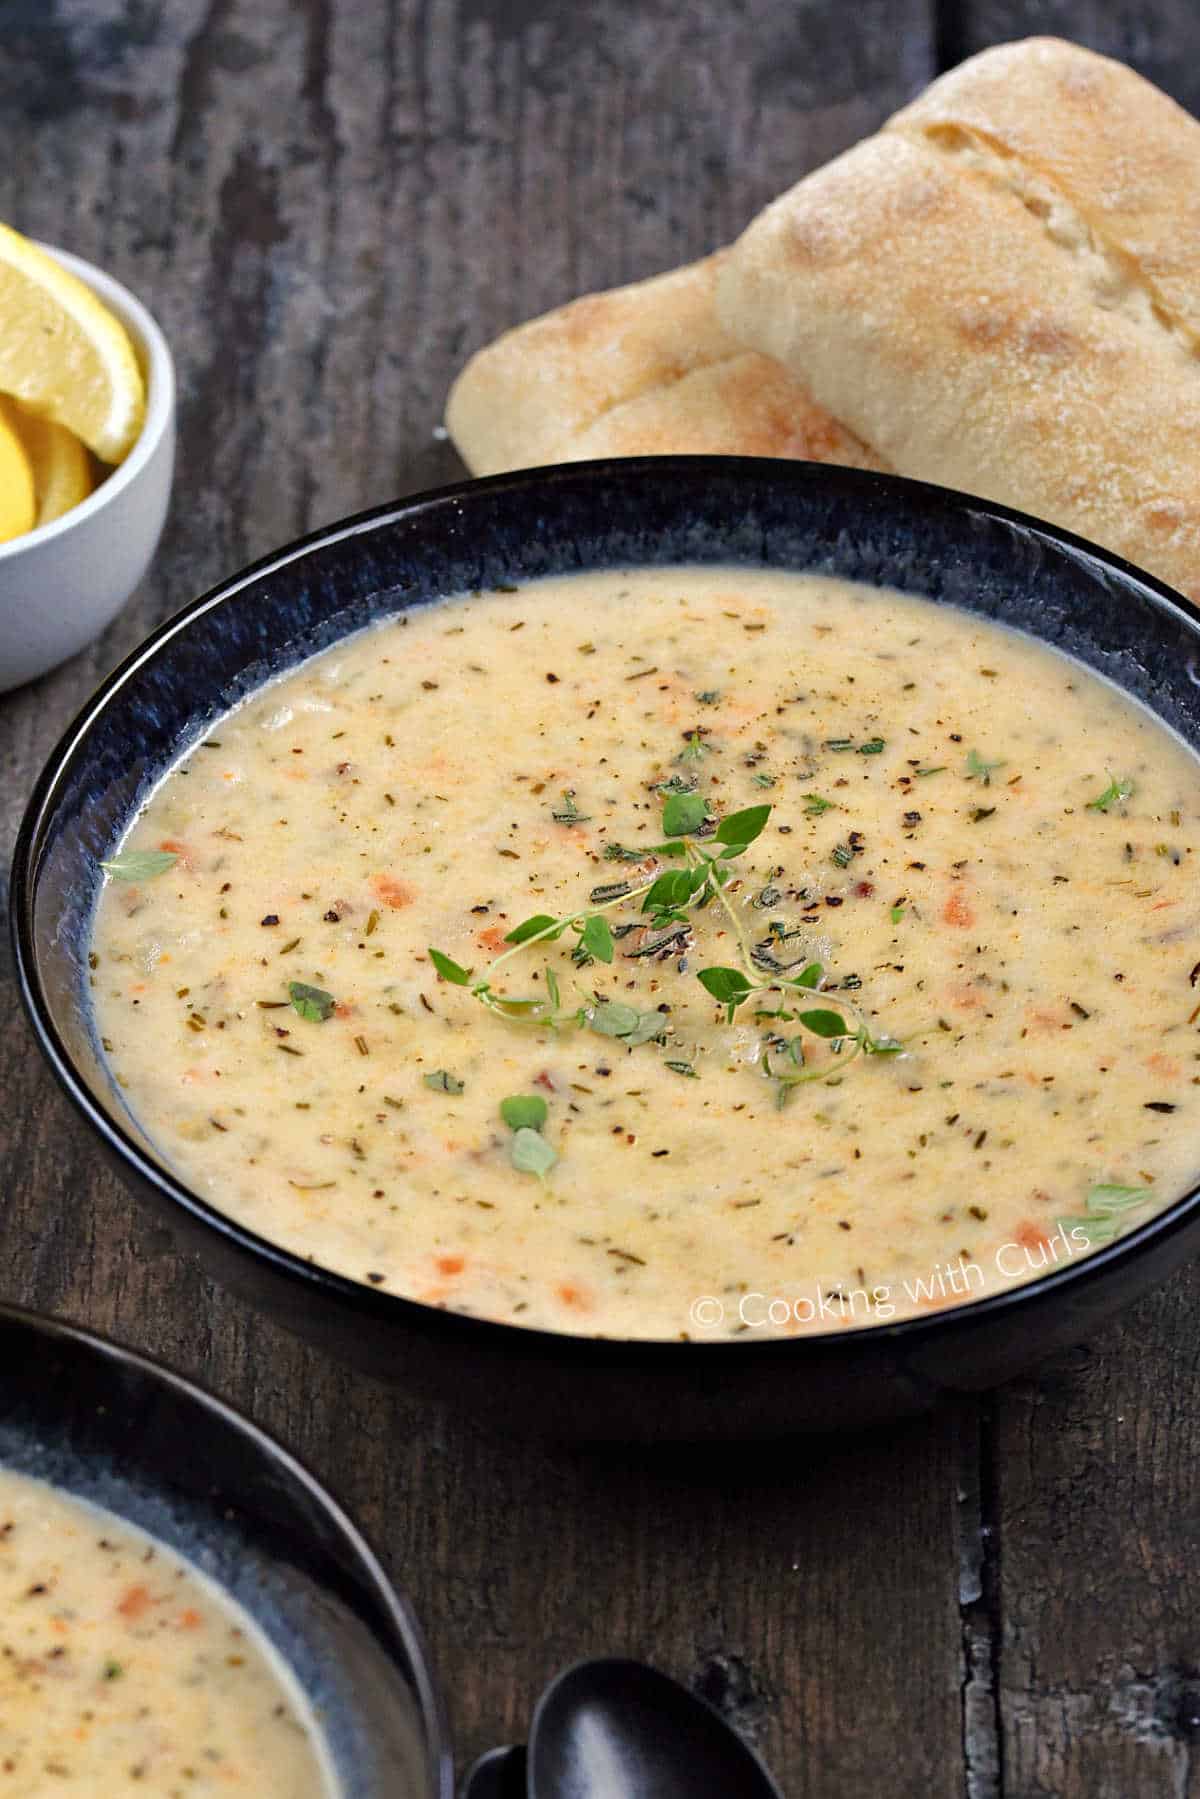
62	352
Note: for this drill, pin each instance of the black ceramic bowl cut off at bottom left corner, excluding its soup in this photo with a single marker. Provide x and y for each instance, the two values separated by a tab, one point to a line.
105	1426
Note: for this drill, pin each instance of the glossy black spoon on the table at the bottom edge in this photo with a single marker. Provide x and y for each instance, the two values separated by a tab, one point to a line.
618	1730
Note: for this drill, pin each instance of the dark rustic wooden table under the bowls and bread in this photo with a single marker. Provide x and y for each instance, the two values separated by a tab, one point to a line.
328	206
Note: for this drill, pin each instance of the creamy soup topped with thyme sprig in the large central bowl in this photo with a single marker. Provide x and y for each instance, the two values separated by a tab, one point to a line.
926	1032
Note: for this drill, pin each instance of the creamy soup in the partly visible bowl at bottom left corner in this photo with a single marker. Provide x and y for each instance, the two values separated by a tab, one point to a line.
125	1670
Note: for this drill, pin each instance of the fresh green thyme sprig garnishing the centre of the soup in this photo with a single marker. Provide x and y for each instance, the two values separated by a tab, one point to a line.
706	854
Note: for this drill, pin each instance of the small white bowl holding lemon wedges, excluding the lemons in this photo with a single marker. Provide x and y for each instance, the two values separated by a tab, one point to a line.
62	584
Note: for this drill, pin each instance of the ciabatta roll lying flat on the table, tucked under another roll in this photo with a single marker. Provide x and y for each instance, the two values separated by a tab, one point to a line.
636	371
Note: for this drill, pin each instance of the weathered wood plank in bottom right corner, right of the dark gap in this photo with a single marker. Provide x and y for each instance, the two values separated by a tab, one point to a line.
1098	1564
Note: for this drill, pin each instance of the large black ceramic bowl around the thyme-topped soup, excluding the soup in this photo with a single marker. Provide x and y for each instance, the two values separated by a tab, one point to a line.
663	512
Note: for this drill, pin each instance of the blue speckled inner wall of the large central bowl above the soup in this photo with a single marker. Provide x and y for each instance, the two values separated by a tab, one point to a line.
663	512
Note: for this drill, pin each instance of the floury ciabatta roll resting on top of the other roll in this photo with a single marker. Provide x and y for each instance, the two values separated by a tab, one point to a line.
1001	292
